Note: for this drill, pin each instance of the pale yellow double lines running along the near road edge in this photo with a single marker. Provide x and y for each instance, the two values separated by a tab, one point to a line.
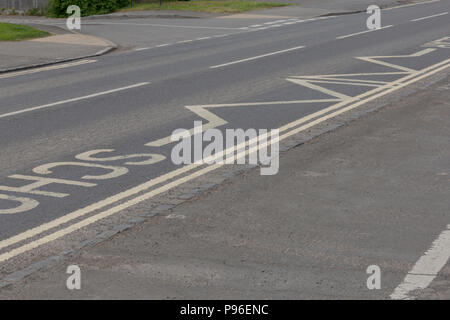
317	118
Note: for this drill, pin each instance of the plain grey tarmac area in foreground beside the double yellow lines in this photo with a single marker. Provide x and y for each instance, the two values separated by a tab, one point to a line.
372	192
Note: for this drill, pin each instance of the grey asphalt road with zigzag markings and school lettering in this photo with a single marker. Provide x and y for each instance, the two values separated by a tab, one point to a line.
89	139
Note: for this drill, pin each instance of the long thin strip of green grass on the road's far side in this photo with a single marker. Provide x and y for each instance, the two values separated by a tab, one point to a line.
229	6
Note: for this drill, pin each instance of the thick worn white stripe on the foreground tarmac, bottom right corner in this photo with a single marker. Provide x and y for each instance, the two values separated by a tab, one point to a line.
426	268
